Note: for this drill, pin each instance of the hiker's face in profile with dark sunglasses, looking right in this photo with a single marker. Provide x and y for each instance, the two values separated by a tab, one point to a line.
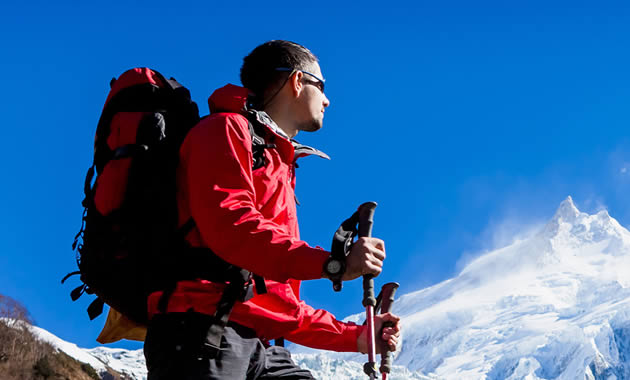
311	101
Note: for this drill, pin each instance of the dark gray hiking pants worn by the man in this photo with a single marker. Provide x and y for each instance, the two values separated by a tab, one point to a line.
174	350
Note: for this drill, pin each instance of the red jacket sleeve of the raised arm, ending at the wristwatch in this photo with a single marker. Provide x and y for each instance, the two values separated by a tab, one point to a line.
217	160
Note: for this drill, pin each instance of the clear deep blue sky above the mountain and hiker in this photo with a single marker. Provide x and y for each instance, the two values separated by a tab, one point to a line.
466	122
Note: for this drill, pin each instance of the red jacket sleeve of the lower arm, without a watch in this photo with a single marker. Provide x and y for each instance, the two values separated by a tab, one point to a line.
319	329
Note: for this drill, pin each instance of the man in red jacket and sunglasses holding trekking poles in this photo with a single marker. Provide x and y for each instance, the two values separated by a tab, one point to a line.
245	214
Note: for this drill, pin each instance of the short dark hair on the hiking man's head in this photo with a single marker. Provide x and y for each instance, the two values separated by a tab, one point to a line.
258	72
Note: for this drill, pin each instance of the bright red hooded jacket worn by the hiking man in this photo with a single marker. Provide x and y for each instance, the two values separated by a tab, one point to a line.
248	218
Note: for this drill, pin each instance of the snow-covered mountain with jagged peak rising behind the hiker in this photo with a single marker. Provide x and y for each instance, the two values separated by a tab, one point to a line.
555	305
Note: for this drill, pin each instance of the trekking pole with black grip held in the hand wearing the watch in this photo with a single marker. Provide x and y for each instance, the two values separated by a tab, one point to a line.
366	219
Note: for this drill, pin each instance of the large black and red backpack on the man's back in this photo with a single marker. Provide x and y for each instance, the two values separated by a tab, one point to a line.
130	244
